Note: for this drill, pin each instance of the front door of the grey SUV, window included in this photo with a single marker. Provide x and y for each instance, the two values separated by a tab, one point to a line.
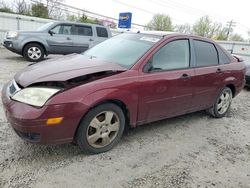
60	39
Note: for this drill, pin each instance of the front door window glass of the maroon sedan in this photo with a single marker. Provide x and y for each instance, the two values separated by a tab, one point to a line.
174	55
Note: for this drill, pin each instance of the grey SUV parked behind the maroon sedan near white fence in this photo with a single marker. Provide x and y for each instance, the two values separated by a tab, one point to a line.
55	38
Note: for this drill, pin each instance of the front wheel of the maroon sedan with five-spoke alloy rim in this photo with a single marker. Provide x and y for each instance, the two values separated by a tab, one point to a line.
101	128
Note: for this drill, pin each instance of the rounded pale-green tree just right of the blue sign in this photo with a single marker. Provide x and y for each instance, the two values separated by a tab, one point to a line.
160	22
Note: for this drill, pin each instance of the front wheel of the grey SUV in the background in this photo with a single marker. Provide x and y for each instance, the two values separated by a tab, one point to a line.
33	52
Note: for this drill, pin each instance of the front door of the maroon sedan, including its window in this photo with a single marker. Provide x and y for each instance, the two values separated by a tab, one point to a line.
165	89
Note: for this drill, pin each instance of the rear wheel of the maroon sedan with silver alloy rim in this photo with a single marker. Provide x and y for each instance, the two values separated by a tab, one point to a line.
222	104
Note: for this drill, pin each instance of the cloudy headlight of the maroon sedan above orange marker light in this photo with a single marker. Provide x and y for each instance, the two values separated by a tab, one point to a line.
35	96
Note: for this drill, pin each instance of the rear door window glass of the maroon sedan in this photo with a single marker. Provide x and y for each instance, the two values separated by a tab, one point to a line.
205	53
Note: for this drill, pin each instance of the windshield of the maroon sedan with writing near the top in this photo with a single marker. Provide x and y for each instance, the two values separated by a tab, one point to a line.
124	49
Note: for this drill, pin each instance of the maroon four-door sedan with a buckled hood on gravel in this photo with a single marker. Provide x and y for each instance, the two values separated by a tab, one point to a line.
128	80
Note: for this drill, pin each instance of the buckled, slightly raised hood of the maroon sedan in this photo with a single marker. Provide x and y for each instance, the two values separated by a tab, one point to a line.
63	69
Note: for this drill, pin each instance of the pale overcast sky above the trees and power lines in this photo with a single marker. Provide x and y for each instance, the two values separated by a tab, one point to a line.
181	11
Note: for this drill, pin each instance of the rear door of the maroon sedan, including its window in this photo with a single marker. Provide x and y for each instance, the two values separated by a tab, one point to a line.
208	74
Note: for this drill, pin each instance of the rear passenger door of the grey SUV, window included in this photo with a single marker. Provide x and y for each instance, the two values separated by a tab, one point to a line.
83	37
